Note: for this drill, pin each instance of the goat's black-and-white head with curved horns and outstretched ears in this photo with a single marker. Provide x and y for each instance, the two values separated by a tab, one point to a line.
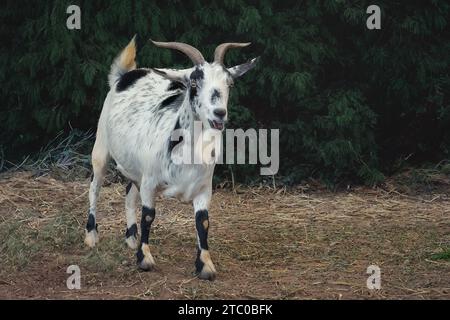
208	84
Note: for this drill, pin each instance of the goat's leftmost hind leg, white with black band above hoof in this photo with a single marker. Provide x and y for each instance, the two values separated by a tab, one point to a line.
100	159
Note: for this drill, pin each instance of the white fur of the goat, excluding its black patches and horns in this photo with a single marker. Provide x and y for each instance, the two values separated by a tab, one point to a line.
135	131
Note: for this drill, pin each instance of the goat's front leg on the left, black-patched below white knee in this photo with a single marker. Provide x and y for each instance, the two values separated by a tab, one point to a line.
145	259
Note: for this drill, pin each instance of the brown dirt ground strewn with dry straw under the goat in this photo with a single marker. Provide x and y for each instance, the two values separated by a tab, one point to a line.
266	244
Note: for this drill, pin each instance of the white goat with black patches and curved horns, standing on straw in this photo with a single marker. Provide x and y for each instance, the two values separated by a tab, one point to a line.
141	110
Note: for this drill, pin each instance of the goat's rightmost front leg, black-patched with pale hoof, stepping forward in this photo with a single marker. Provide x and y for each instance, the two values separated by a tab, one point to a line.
203	265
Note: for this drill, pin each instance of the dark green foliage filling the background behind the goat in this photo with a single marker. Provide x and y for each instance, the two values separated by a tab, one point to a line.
350	103
